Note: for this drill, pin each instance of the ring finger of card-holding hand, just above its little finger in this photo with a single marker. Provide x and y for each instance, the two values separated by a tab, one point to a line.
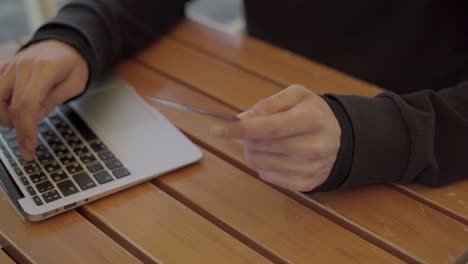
281	163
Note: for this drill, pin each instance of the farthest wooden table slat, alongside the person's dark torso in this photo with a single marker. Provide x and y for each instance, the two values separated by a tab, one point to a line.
270	62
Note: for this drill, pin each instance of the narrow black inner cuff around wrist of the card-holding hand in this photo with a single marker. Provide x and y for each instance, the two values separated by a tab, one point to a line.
344	158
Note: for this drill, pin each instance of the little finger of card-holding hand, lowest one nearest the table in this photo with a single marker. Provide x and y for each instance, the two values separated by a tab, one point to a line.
289	182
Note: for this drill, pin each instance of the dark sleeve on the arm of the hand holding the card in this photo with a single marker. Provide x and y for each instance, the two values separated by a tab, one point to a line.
421	137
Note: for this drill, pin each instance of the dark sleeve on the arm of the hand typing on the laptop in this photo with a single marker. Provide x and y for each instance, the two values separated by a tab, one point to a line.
106	31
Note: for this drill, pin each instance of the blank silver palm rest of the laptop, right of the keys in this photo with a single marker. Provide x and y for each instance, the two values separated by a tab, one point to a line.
137	133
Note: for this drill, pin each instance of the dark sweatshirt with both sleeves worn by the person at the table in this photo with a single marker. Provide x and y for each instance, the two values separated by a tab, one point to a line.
417	50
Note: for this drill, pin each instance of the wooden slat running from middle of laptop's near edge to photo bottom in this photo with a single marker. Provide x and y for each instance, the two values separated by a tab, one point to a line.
160	229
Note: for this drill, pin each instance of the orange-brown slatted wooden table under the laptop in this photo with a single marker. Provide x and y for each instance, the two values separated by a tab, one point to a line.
217	210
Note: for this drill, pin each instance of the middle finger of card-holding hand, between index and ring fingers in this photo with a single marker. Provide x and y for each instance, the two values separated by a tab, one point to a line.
306	146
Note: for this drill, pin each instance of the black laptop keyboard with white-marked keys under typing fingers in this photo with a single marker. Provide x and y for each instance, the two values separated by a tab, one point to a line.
69	158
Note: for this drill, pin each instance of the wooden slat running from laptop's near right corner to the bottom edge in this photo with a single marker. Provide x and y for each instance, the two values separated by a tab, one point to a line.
255	210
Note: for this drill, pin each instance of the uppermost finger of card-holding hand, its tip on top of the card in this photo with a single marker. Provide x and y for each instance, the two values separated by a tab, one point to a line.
278	102
